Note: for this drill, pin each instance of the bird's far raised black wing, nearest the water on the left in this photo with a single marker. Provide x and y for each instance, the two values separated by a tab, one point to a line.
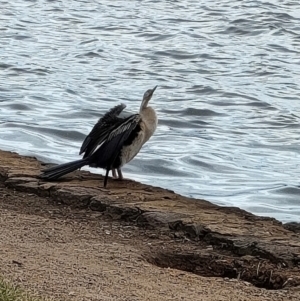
101	130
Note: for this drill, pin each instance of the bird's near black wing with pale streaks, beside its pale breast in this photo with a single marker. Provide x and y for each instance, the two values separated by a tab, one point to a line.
106	154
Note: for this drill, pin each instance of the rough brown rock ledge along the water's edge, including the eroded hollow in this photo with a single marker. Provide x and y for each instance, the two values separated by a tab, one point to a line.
257	249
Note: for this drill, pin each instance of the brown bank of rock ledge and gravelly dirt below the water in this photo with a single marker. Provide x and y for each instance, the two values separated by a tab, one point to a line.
74	240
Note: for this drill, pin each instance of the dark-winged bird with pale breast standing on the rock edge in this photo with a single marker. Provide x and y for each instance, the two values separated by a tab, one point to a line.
113	142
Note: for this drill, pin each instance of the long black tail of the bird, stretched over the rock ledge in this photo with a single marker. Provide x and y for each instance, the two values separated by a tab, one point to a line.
58	171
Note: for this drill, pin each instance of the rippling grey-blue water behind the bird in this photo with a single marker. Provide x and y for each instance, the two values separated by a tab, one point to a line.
228	99
